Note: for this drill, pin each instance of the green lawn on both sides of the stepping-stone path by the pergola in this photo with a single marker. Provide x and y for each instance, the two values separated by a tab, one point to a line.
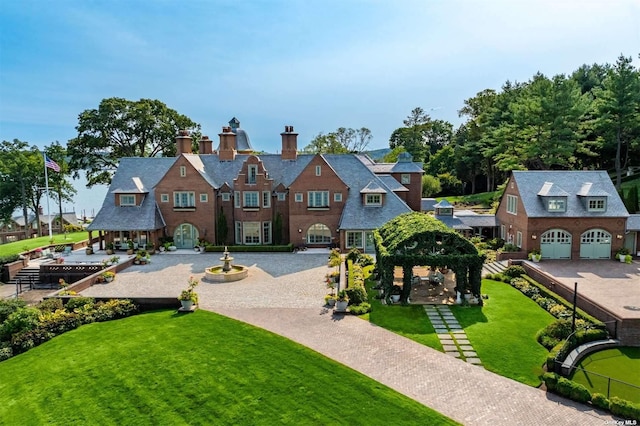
503	332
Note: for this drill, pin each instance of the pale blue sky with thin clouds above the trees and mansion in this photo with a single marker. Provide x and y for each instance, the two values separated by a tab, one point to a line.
316	65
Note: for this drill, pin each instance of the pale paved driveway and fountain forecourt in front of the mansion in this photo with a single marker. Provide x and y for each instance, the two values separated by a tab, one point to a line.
284	294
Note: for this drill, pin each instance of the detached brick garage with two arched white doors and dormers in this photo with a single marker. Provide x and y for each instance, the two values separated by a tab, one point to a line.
565	214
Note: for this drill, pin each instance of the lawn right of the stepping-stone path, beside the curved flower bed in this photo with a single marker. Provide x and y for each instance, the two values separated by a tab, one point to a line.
503	332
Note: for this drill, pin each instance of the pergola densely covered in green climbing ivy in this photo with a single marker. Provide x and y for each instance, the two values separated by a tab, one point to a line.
415	239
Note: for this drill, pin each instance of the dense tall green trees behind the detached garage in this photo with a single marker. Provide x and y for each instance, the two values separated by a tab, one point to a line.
587	119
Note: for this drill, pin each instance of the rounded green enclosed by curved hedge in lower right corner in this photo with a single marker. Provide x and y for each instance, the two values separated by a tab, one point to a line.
616	363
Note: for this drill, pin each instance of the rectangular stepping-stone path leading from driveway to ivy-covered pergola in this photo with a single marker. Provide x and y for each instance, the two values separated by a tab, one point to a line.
452	337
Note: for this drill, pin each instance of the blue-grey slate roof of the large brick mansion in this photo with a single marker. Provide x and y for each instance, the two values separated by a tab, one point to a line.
143	174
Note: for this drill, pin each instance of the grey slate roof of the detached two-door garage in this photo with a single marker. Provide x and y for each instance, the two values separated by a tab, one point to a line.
587	183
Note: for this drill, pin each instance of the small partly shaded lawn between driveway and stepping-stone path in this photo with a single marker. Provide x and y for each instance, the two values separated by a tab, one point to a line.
409	321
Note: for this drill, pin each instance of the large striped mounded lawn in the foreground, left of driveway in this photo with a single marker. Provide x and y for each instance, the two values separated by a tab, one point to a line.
162	368
